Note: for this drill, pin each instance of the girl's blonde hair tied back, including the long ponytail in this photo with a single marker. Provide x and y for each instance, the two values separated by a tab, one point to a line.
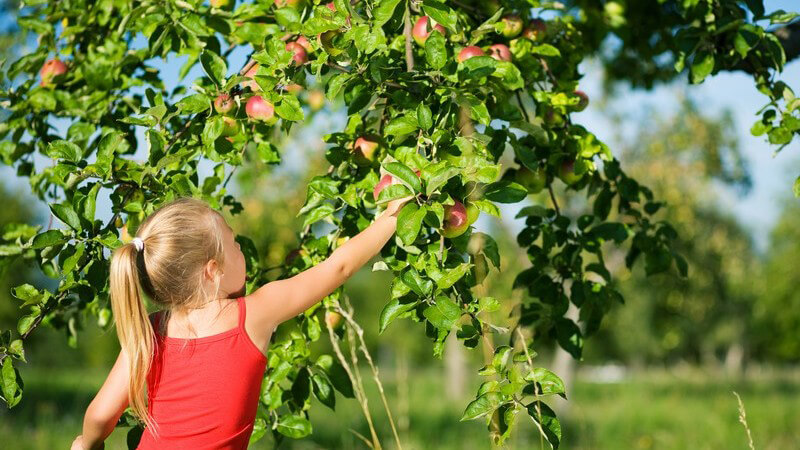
179	239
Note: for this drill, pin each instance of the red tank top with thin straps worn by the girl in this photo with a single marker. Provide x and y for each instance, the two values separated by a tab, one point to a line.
204	392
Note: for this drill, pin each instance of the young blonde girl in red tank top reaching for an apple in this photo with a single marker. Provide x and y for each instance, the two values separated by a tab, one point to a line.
202	358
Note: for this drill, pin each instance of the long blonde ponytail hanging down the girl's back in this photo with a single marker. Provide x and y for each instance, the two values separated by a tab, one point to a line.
135	332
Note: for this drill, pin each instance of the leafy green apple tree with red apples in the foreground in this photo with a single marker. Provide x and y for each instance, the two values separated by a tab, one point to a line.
436	93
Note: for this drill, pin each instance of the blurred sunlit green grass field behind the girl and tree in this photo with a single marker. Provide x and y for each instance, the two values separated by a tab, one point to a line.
651	410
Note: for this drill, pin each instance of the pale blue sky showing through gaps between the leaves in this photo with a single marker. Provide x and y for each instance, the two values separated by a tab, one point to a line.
772	175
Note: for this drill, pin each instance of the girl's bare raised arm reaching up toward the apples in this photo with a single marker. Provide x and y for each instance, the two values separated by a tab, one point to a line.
280	300
